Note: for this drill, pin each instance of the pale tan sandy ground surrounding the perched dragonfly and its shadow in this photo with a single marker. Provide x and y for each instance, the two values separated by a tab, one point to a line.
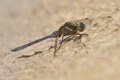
22	21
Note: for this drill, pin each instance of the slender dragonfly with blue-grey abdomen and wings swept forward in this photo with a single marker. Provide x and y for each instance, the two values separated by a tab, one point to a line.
71	29
